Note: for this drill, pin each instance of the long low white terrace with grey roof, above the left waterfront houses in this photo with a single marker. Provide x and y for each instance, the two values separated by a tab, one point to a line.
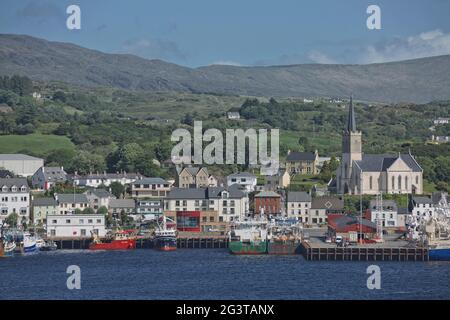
105	179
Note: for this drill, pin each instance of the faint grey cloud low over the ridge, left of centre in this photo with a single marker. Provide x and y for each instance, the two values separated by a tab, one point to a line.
154	49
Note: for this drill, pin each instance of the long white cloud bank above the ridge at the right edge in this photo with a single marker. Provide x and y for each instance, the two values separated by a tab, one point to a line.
426	44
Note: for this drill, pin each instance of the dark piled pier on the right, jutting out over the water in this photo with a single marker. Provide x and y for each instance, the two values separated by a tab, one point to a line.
362	253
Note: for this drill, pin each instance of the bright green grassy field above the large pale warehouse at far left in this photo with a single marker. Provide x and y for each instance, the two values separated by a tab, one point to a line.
35	143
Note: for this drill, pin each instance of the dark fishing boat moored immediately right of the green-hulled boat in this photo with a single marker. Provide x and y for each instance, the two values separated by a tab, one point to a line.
284	237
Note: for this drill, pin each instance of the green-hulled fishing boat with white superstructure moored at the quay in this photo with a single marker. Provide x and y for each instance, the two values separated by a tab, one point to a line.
248	237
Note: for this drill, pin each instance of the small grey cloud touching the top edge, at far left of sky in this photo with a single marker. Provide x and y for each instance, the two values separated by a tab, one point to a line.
41	11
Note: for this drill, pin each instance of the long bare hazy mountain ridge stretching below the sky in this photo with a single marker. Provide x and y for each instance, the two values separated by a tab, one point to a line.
416	80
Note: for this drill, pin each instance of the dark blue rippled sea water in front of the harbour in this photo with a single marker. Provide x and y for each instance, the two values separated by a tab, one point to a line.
213	274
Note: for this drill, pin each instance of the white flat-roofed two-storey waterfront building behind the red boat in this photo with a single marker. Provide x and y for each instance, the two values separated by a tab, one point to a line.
75	225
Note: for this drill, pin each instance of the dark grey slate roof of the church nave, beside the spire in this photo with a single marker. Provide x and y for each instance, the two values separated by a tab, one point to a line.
381	162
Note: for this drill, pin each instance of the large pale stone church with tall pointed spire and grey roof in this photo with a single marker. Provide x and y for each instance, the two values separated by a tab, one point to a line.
372	174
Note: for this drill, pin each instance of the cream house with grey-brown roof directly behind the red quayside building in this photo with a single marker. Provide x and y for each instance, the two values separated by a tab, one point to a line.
321	207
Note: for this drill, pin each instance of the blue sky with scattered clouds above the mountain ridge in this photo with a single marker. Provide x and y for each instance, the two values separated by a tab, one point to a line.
241	32
